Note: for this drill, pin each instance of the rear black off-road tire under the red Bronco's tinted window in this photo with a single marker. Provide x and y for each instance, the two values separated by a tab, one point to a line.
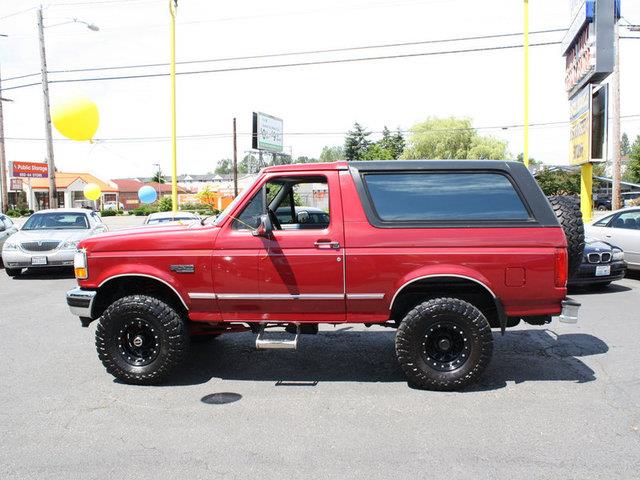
414	332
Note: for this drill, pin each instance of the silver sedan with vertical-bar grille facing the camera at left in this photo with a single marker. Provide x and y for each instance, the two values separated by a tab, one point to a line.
49	238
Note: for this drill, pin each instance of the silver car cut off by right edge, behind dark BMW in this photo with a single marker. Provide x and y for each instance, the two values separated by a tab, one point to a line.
622	229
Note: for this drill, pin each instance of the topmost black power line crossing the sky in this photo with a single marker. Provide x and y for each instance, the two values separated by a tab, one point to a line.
302	52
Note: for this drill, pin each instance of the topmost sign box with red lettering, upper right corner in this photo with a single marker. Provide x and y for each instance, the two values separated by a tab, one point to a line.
588	45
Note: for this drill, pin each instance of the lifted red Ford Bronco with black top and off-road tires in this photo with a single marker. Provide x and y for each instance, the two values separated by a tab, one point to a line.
444	251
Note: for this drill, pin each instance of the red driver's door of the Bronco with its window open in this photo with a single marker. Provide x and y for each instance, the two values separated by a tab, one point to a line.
302	269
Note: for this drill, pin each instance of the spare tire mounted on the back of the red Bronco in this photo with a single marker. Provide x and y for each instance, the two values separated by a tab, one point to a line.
567	210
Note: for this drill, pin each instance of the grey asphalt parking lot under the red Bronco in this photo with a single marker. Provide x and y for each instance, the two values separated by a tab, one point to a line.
561	401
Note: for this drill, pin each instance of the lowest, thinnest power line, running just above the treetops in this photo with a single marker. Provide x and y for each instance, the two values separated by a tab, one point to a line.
208	136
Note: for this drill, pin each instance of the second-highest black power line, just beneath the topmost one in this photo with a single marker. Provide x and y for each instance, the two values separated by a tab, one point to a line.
293	64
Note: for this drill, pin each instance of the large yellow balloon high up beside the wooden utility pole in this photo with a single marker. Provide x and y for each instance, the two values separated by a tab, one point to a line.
76	118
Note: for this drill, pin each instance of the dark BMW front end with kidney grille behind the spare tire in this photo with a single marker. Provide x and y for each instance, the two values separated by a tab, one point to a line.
602	263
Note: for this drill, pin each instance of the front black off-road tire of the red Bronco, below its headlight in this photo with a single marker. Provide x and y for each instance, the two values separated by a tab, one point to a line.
168	328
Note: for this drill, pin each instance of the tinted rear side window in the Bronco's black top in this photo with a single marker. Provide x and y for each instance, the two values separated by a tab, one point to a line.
442	197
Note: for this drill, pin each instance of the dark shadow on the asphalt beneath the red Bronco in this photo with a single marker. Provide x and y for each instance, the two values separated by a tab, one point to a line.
369	356
